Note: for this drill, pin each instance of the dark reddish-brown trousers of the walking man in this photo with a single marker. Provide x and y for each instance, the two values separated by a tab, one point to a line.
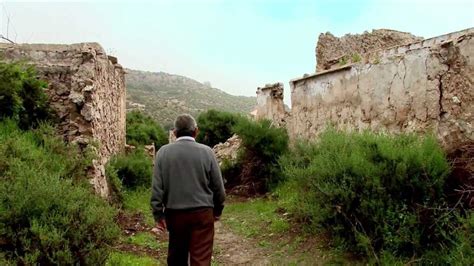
191	236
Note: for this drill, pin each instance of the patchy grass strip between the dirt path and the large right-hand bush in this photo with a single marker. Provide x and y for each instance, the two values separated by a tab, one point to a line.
271	231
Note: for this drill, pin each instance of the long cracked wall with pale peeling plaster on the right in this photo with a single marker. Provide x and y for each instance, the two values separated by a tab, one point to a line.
422	87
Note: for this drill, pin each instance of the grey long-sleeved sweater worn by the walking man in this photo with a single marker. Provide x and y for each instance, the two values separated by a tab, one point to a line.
186	175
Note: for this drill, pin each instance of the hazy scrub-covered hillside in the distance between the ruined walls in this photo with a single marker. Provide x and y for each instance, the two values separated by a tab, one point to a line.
163	96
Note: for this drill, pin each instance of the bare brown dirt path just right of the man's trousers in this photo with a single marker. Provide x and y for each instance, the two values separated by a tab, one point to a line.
232	249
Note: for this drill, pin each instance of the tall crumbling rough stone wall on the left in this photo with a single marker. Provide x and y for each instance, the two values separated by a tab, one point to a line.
87	90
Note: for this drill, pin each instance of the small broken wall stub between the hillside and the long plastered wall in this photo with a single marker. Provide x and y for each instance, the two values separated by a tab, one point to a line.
270	104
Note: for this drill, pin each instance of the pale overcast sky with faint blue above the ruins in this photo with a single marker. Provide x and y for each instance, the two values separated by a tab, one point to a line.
236	45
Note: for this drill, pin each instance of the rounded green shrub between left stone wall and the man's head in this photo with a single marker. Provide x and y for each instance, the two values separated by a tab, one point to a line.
143	130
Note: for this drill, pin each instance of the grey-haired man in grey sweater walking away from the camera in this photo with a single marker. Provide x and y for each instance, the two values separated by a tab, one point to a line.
187	195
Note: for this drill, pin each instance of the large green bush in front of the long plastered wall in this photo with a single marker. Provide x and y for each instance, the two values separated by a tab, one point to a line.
375	194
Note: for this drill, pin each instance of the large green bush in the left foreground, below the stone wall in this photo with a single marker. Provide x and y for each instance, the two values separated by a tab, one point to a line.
48	213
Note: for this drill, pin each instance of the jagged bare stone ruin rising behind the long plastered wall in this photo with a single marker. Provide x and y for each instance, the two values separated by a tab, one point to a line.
332	51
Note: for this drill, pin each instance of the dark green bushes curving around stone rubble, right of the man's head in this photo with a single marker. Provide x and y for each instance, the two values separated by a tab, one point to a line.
263	144
